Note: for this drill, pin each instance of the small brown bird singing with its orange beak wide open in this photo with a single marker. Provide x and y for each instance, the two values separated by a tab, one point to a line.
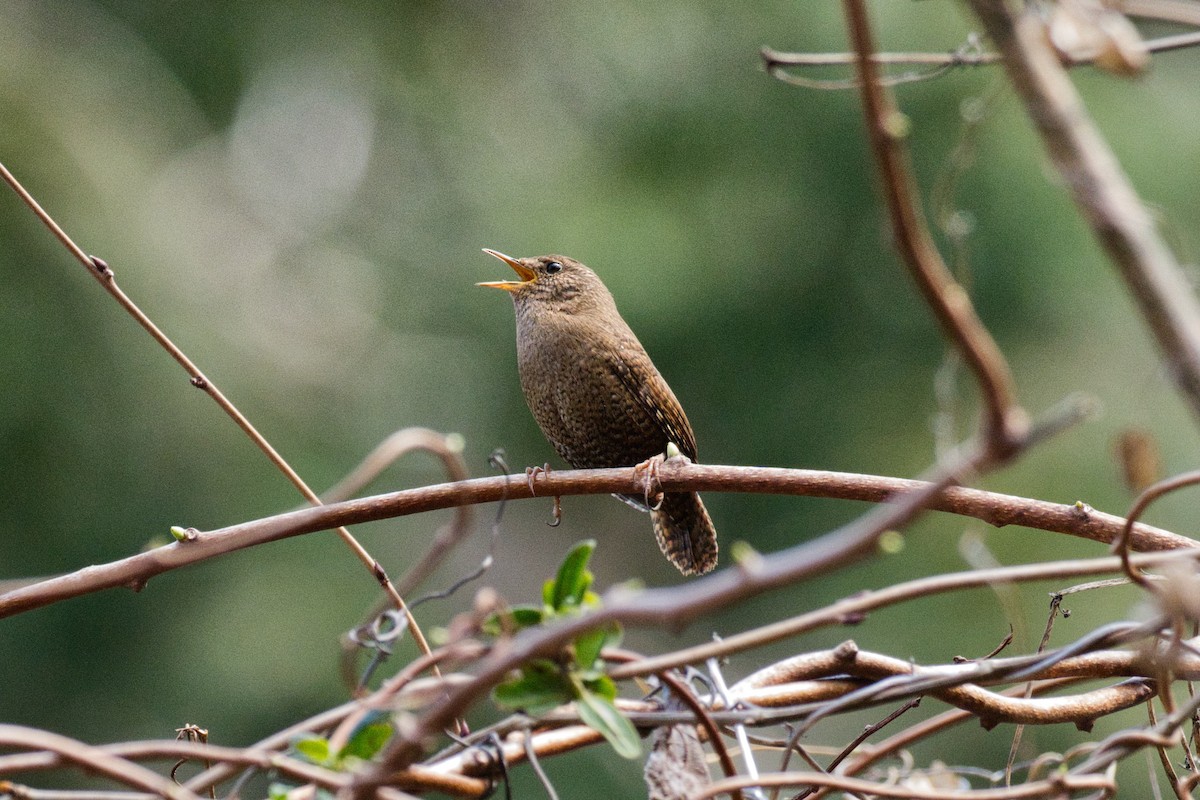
598	398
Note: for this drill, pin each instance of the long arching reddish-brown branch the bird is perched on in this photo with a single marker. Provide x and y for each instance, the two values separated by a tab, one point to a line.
675	476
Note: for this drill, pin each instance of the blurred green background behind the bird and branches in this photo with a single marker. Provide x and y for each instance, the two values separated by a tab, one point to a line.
298	194
